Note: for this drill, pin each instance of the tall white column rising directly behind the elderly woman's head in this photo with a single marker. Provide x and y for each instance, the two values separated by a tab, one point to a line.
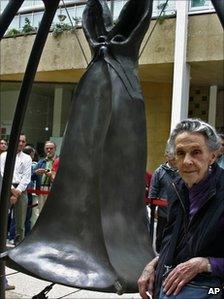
181	76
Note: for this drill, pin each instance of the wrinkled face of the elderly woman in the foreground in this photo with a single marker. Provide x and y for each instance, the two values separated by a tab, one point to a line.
193	157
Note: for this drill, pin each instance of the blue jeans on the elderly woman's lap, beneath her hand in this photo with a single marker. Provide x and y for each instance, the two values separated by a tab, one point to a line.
199	289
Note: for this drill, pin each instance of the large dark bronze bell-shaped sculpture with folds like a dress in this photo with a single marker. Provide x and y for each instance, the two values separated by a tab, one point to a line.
92	232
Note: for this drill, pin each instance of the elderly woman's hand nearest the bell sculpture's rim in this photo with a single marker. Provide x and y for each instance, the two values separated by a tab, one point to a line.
146	280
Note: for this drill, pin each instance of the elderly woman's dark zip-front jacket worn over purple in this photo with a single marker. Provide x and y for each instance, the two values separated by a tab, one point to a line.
200	236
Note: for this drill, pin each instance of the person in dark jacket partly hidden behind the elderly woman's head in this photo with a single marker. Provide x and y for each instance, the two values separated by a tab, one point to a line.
161	188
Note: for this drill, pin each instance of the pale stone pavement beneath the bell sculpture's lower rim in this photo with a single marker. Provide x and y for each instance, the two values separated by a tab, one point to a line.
27	287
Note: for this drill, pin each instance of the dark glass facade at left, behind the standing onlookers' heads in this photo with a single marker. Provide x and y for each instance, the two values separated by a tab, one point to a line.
39	124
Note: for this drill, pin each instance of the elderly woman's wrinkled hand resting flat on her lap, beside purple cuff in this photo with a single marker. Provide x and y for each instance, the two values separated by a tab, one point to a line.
184	273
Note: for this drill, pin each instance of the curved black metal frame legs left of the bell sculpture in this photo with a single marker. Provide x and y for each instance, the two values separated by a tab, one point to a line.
5	19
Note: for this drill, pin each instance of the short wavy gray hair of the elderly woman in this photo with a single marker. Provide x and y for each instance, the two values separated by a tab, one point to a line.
195	126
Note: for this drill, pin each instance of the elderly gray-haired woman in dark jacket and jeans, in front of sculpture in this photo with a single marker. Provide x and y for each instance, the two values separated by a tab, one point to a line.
191	261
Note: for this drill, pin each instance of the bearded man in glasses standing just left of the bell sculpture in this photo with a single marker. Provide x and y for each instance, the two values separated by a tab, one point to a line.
42	172
